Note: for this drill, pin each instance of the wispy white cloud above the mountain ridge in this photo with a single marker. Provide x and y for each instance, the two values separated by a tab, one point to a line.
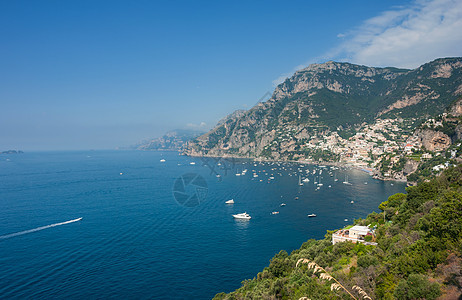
406	36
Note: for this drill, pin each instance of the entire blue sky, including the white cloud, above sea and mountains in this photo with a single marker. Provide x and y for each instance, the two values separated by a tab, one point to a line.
78	75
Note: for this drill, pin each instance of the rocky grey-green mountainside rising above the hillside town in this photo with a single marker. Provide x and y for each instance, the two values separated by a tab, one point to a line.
331	97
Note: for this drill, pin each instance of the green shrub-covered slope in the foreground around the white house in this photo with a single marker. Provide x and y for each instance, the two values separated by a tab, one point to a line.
418	256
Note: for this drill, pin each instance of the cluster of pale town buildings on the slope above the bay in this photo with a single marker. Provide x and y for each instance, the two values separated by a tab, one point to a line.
388	146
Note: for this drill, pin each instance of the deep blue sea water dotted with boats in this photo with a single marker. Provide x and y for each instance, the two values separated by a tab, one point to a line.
160	230
